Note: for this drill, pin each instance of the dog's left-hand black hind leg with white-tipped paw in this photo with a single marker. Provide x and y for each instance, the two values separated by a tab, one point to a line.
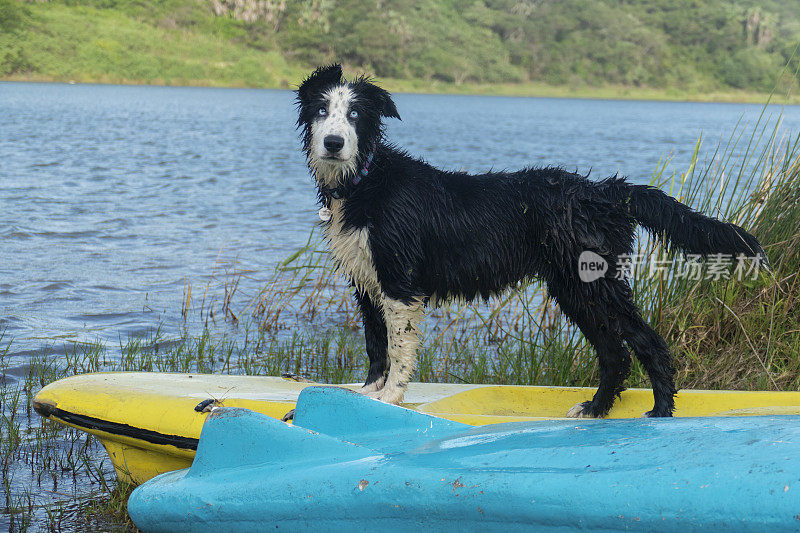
602	331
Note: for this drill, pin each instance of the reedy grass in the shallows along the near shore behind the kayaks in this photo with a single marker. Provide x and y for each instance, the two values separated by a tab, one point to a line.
723	333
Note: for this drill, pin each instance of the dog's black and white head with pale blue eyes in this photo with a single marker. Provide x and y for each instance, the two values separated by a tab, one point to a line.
340	122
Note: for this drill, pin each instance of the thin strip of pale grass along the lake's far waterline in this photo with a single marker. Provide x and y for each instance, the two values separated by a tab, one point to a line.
402	86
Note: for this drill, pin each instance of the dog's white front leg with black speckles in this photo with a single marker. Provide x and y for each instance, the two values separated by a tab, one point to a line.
402	322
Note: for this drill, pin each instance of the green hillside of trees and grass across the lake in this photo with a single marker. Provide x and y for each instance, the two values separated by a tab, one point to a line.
694	45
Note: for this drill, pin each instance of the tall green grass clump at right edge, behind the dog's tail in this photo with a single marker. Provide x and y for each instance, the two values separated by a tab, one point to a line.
747	335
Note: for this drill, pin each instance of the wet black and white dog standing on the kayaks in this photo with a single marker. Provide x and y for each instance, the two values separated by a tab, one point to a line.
407	234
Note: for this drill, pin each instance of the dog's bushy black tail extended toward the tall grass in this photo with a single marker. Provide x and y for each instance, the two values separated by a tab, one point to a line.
689	230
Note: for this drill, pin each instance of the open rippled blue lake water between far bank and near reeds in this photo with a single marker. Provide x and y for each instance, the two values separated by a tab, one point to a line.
112	197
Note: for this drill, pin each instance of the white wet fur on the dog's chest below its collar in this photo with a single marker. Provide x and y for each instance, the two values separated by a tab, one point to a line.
350	248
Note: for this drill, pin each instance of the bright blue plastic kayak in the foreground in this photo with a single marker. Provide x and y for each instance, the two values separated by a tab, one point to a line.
350	462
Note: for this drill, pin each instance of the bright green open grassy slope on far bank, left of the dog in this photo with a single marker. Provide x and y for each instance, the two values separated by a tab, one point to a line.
86	44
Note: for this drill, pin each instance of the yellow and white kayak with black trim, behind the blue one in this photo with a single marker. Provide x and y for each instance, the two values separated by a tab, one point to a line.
149	422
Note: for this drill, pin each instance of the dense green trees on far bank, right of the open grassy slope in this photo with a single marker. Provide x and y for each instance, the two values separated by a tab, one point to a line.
636	42
